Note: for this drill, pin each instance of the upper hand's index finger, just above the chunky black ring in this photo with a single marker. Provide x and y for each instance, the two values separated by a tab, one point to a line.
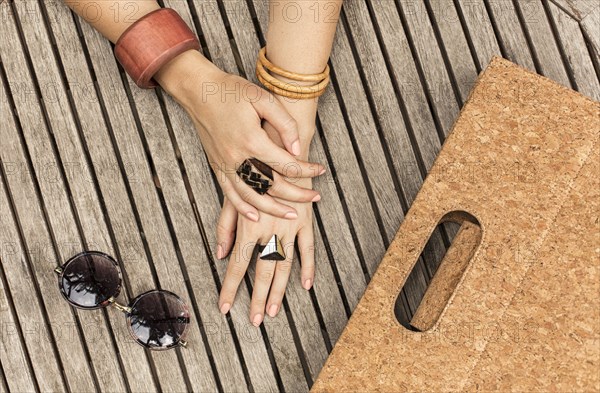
284	163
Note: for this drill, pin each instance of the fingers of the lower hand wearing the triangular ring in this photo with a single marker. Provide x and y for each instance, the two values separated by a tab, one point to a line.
271	276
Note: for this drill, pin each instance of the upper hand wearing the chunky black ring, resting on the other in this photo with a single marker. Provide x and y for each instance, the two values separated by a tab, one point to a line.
228	111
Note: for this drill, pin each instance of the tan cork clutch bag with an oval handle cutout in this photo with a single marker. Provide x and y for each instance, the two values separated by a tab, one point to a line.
515	304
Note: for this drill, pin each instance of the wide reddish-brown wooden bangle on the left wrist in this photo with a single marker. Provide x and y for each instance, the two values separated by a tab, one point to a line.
151	42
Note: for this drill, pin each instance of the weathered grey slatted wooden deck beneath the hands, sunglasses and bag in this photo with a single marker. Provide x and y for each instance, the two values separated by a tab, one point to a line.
89	161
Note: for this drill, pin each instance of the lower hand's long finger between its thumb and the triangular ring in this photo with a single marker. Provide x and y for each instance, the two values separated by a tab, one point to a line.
236	268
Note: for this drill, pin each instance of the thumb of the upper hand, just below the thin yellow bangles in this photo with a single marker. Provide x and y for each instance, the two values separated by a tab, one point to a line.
270	109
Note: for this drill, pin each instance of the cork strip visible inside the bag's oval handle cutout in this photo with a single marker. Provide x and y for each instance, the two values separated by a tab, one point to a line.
450	271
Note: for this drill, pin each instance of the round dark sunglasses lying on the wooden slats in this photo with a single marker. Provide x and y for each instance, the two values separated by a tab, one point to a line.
157	319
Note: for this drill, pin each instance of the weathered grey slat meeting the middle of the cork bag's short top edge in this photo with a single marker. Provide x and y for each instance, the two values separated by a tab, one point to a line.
544	46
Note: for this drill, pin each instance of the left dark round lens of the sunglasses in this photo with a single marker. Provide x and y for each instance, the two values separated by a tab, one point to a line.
90	279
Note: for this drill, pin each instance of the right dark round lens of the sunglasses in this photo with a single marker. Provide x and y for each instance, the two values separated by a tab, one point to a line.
159	319
